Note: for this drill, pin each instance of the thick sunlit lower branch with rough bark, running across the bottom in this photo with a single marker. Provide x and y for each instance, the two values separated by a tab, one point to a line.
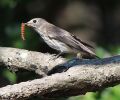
77	80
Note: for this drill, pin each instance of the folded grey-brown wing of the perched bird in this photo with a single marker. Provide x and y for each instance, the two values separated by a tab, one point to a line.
65	37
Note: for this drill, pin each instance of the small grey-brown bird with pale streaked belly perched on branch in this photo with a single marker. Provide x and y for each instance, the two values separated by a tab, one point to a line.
60	39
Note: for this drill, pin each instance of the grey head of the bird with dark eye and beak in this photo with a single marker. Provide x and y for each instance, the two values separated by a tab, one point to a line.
35	23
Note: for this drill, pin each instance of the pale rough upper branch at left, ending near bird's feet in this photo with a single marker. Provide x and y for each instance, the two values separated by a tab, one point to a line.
16	59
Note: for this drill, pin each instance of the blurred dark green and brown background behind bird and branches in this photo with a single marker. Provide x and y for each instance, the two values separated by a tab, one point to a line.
96	22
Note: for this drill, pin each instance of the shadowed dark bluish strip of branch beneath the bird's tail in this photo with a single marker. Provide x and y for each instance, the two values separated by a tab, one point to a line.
76	61
